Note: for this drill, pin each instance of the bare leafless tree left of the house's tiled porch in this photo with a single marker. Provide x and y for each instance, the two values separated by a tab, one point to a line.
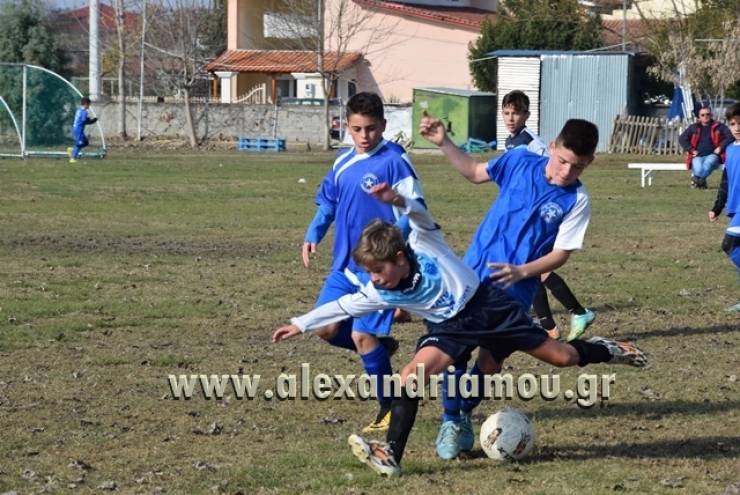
179	36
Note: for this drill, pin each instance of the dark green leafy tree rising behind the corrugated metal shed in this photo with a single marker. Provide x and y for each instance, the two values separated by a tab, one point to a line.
534	25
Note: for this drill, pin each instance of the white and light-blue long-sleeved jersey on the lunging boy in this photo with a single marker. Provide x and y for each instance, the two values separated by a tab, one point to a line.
441	286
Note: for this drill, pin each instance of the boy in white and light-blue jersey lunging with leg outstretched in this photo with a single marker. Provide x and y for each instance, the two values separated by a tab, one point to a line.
426	278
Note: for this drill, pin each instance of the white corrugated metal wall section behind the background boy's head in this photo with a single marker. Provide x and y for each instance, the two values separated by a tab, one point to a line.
522	73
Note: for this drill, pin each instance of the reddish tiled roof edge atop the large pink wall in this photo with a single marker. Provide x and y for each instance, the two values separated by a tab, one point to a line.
465	18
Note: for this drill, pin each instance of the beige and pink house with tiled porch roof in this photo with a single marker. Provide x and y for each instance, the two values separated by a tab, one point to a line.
387	47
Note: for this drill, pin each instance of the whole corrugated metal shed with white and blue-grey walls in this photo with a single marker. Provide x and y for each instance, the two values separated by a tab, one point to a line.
562	85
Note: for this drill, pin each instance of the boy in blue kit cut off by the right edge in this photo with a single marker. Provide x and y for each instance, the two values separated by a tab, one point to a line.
728	194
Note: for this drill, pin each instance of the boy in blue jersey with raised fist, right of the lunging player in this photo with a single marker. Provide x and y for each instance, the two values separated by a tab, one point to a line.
539	217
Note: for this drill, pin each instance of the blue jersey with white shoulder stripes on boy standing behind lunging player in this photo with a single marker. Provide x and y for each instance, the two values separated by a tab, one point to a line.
344	190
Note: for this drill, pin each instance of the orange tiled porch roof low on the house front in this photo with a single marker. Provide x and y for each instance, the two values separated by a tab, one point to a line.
280	61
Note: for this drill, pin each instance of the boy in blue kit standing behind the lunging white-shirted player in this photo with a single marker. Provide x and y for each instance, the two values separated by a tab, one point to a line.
342	198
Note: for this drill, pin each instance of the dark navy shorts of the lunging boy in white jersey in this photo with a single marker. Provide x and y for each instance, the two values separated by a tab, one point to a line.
491	320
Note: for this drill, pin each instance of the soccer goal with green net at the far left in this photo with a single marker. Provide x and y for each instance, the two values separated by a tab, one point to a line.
37	108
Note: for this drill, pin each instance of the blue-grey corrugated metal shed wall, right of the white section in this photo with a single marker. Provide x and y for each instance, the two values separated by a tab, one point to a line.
591	87
